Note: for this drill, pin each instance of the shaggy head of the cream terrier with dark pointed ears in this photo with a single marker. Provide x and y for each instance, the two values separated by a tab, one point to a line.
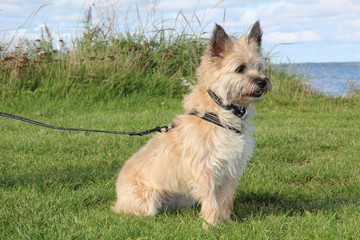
233	68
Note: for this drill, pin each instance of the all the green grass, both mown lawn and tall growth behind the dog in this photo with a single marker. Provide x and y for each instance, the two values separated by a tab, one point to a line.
302	182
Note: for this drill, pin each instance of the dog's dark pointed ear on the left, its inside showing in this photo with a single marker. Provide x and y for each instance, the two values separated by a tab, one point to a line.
218	41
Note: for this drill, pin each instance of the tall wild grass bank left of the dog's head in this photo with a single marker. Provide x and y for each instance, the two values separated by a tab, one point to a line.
101	63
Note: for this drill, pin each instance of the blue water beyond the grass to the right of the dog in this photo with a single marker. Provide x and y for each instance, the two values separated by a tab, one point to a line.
334	79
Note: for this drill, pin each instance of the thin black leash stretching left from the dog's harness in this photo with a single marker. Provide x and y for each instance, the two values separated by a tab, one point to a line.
156	129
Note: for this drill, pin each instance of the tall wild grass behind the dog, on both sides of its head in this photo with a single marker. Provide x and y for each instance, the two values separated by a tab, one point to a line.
151	57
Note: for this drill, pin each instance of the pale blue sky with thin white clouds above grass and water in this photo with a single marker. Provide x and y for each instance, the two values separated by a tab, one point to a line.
295	31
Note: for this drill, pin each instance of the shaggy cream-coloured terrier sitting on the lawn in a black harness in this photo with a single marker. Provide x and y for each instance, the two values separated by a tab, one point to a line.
202	157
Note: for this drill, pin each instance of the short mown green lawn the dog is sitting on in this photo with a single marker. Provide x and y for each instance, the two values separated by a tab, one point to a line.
302	183
